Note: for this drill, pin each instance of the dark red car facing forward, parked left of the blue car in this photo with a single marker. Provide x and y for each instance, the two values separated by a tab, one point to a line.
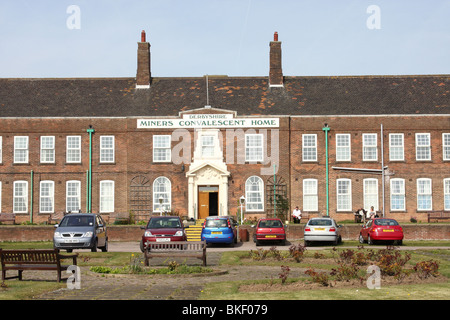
163	229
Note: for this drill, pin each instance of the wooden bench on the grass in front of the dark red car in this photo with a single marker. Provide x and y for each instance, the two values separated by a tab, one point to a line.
196	249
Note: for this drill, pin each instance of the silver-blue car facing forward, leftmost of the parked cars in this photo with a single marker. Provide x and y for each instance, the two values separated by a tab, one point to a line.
81	231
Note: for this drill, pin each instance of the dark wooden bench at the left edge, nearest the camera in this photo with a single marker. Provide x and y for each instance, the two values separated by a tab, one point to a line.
39	259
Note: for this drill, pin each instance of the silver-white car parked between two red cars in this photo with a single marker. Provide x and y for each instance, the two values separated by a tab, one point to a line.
322	229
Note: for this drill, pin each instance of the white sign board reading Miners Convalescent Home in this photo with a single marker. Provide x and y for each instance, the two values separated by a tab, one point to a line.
223	123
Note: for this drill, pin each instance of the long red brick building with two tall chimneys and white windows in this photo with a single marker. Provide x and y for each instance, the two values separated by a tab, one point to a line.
195	146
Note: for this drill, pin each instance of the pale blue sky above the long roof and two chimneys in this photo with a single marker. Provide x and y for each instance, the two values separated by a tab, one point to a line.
198	37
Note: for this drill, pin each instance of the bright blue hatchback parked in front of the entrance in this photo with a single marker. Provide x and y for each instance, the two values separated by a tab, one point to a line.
219	229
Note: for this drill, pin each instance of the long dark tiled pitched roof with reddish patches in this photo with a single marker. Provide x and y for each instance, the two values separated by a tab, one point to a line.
117	97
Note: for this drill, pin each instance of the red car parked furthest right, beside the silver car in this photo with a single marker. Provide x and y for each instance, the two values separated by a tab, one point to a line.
381	229
